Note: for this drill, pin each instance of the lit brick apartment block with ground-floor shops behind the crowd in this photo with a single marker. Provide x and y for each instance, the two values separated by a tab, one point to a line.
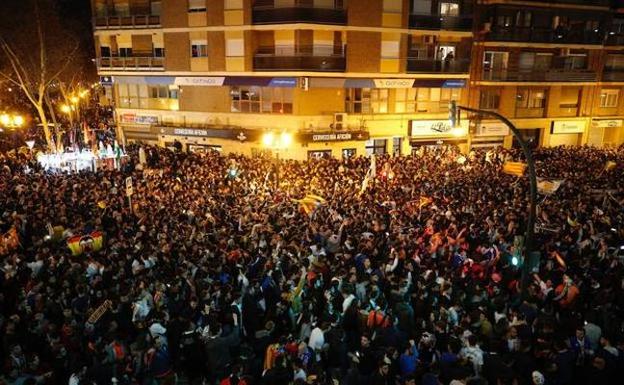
354	77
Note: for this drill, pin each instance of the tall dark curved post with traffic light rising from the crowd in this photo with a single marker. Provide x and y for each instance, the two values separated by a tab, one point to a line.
454	117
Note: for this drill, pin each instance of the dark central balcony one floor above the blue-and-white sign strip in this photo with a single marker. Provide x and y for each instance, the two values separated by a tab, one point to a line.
303	58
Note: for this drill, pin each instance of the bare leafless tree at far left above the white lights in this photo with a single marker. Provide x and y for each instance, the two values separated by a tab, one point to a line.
36	54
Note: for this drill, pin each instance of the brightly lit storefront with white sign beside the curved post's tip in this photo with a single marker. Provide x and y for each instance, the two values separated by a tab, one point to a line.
437	133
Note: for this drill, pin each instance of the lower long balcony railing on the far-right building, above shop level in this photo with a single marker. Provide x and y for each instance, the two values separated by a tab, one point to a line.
541	75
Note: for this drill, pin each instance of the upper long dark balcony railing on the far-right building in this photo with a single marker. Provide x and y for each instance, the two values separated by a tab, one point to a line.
546	35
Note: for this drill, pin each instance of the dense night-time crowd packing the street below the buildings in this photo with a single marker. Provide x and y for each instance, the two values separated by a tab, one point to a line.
410	273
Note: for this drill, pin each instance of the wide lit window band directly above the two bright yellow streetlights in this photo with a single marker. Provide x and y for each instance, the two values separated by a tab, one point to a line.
261	100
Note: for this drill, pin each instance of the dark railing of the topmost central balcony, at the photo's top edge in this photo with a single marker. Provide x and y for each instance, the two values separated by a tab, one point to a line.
271	14
